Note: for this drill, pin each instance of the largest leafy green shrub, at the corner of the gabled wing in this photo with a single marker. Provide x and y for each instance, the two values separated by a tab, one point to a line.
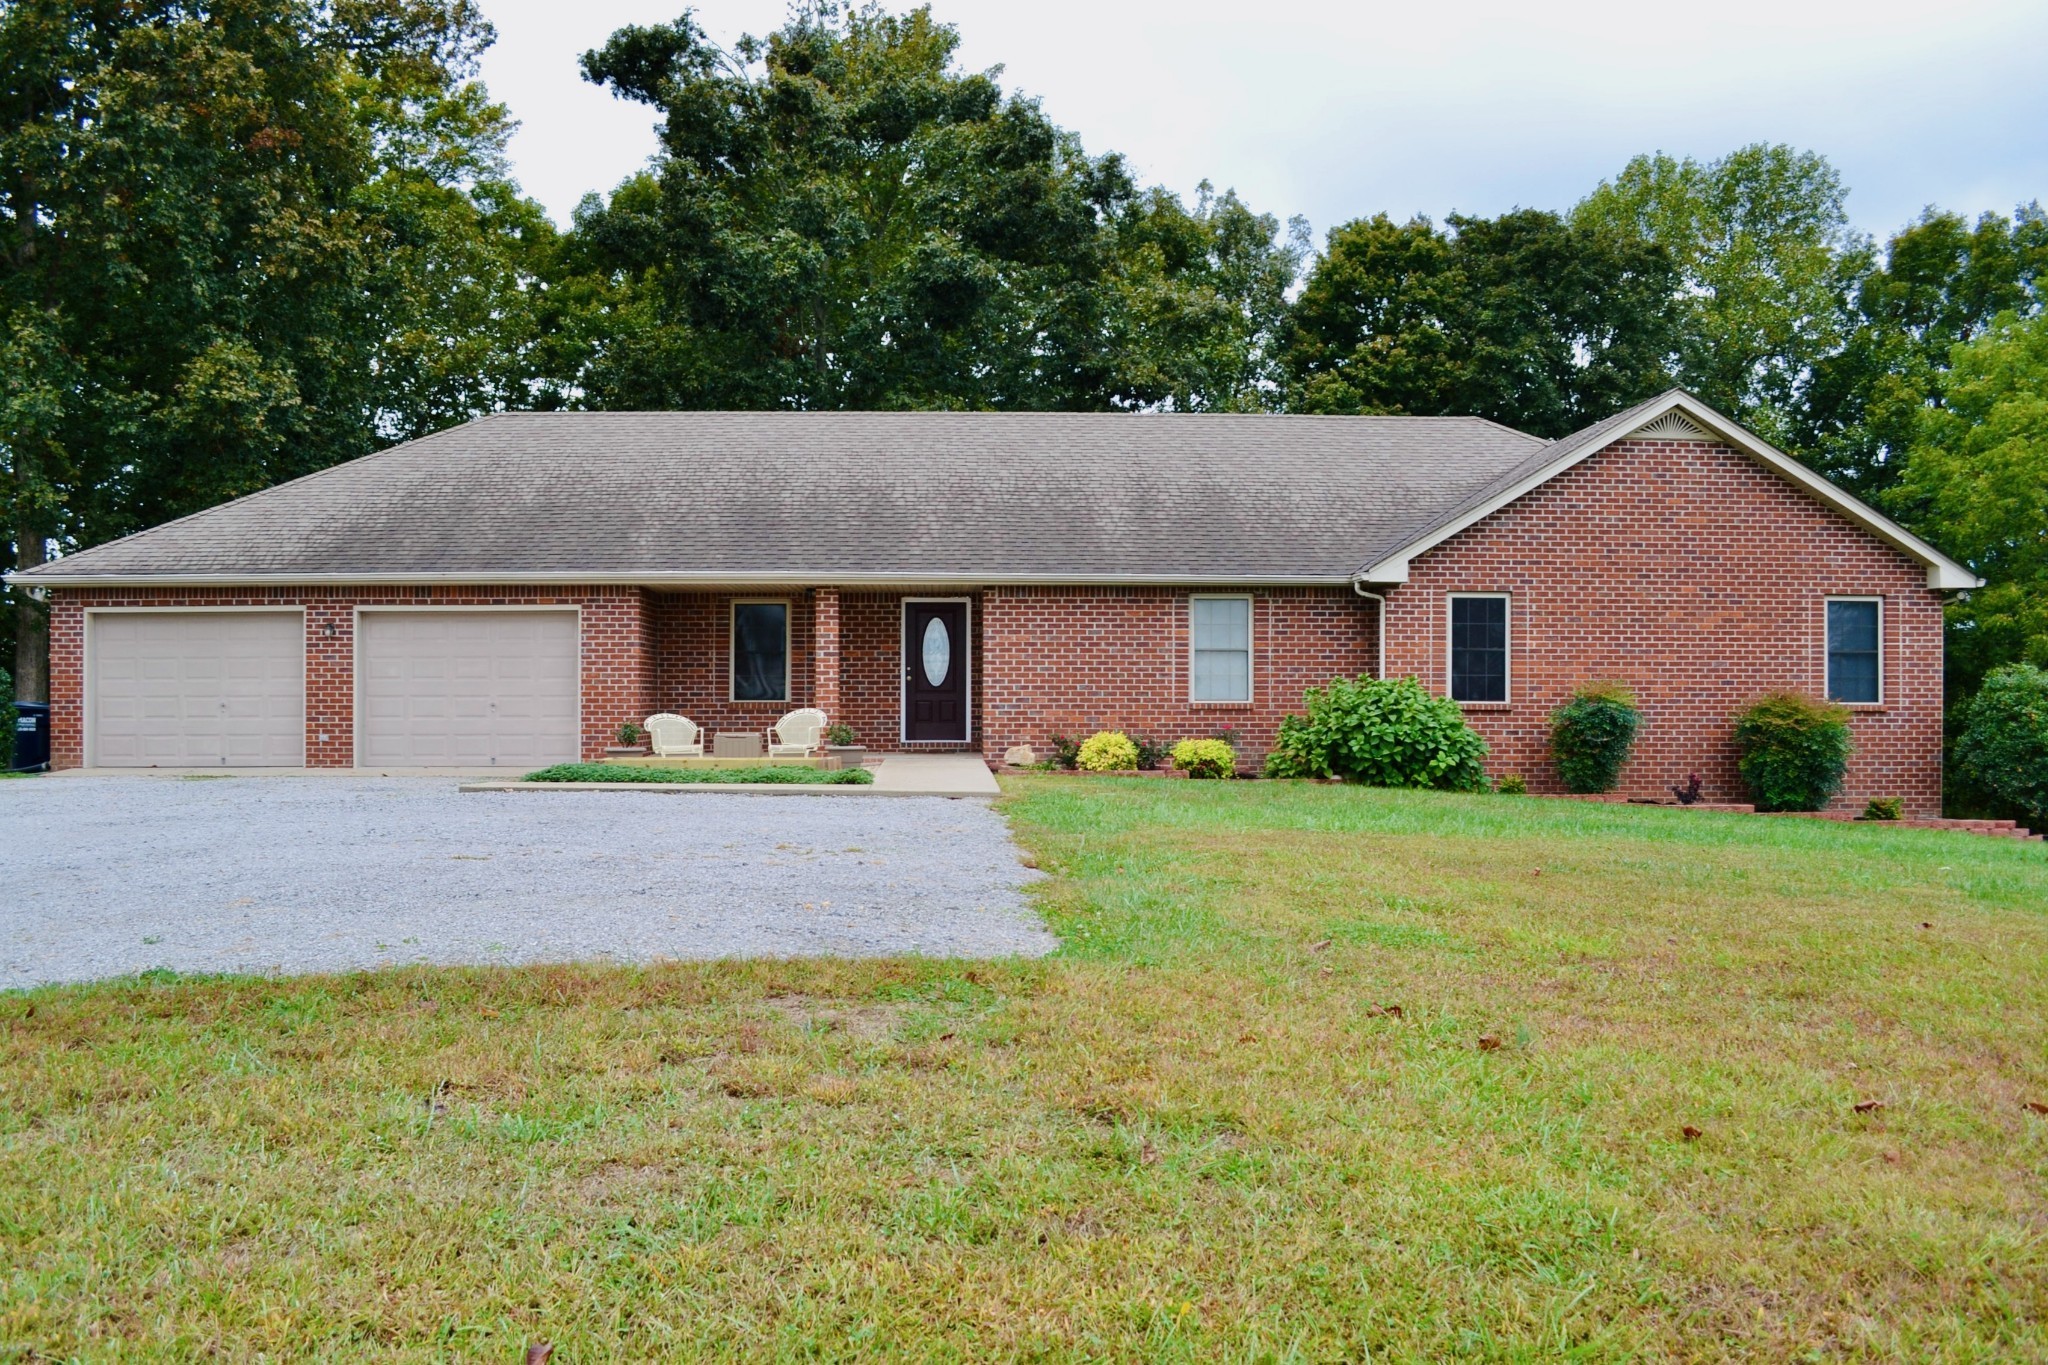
1381	734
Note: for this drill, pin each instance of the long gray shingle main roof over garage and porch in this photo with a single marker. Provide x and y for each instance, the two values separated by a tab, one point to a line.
849	496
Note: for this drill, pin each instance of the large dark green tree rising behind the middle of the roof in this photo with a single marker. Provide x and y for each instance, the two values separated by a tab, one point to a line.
841	218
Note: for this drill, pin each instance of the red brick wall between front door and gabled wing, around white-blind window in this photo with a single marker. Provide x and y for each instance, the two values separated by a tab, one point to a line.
1082	660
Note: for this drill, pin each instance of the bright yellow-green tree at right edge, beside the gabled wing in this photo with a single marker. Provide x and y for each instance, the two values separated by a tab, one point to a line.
1977	484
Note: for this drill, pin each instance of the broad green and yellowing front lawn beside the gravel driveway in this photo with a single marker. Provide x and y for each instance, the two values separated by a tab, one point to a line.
1322	1073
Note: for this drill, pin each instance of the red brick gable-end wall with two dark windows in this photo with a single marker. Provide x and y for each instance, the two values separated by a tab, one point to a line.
1701	580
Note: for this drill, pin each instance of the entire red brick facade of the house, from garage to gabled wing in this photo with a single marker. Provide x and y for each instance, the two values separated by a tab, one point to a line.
1680	568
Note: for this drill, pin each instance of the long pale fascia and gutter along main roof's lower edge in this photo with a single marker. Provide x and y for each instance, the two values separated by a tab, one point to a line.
681	580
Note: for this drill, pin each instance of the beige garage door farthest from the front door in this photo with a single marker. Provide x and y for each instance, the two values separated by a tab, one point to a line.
196	691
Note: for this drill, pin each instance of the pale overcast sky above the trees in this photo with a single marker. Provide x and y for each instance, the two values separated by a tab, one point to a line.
1422	107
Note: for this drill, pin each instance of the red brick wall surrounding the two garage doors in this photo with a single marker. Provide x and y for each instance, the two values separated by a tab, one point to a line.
615	654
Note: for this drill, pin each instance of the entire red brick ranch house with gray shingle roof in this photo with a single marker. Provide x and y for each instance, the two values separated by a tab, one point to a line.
511	590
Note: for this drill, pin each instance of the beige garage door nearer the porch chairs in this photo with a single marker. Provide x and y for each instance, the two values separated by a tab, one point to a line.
468	691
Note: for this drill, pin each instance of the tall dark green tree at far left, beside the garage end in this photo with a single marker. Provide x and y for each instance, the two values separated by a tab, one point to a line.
239	234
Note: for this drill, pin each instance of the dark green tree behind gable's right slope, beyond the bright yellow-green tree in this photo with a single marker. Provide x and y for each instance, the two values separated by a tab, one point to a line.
1943	283
